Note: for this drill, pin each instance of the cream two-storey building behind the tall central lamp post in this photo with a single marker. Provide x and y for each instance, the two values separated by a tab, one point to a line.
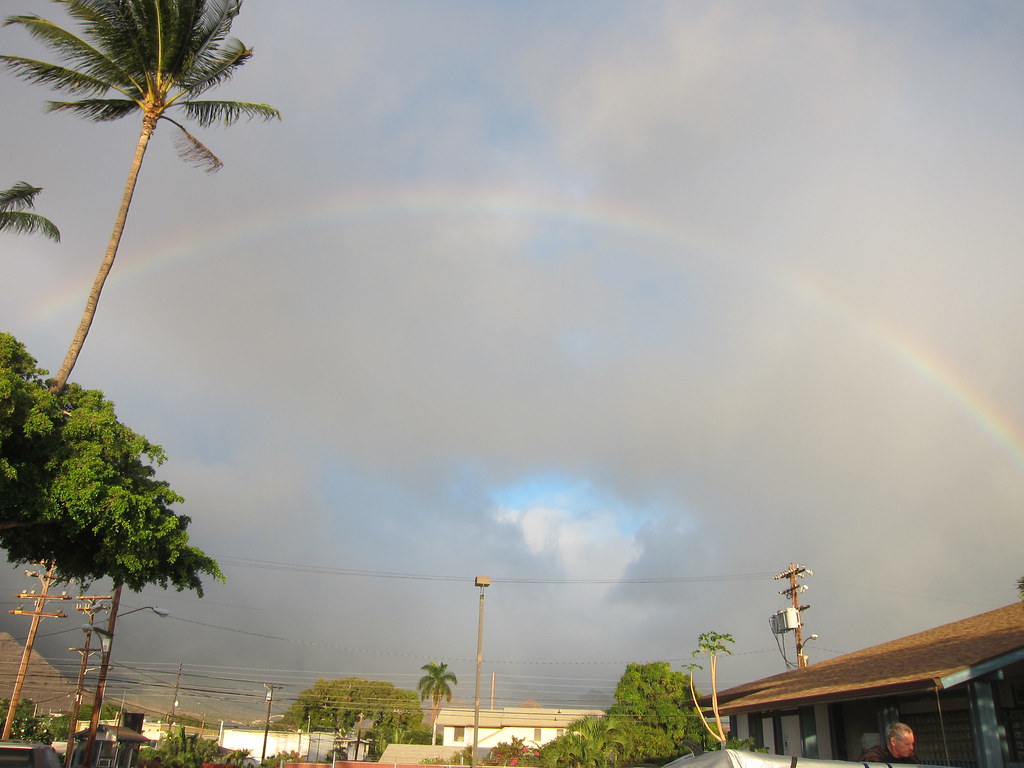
535	726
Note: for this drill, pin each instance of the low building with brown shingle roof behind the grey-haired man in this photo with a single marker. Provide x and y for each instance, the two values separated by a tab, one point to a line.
960	687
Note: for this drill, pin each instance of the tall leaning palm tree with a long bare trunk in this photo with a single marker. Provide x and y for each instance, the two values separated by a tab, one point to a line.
140	57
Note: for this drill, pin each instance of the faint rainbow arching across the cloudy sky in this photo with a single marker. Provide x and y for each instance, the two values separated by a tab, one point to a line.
522	205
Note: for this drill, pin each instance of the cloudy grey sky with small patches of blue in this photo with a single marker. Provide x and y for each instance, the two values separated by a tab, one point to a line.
627	307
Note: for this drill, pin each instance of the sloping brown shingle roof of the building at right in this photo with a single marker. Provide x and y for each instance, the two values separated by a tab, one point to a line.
940	658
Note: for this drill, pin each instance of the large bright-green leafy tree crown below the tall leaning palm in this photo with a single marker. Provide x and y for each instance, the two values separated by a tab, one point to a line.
78	488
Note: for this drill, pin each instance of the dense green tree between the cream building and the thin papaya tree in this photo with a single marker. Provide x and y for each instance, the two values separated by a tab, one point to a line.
655	708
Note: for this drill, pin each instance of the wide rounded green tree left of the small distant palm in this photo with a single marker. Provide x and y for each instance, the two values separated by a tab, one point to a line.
336	706
